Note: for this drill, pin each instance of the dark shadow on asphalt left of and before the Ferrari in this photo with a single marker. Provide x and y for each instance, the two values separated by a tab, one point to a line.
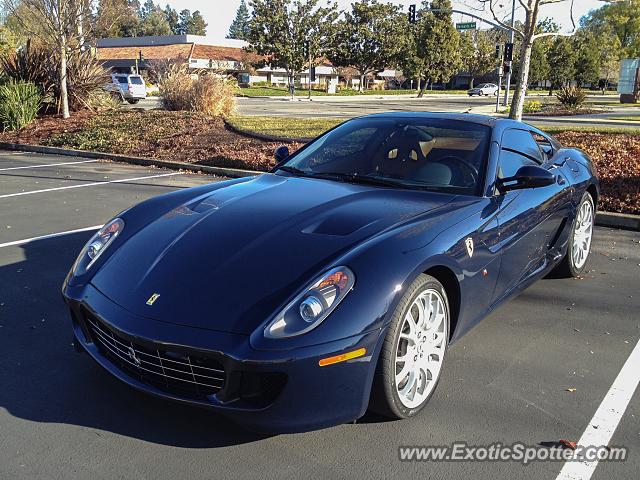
44	380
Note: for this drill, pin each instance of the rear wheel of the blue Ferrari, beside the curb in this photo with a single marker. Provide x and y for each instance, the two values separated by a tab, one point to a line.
575	260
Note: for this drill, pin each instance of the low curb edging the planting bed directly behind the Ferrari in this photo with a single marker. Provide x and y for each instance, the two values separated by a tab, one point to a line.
604	219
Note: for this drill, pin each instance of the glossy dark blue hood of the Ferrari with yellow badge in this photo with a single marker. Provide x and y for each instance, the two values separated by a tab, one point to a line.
227	259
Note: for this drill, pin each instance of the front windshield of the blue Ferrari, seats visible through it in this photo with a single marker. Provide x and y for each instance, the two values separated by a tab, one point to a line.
419	153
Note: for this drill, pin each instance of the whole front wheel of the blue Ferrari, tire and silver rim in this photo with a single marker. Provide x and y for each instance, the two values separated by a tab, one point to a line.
413	351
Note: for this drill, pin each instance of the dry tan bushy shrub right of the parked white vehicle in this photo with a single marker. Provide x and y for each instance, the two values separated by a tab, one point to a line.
208	94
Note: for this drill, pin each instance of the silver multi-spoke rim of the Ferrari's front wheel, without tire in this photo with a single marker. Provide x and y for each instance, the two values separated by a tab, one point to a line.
421	347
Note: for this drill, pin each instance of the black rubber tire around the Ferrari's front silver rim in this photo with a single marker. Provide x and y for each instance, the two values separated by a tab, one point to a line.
384	396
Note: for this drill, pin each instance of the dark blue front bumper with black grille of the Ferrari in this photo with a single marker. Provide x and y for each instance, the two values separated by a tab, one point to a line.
268	391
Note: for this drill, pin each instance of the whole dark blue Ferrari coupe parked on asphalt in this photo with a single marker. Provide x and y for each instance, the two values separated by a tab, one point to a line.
335	283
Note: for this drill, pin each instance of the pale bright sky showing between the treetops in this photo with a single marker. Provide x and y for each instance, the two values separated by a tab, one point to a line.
220	13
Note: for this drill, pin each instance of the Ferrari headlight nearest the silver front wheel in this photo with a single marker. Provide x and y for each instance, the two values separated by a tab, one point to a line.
310	308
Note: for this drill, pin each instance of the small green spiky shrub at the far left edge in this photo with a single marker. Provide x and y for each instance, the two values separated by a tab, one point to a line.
19	104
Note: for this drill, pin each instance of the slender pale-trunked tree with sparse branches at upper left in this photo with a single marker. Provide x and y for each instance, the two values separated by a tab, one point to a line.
60	23
